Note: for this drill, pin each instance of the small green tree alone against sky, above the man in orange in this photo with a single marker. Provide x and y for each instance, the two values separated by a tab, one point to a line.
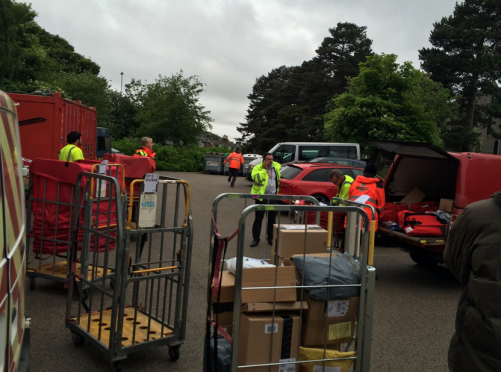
169	109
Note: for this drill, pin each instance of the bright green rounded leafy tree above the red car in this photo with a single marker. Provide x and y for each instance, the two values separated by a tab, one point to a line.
387	101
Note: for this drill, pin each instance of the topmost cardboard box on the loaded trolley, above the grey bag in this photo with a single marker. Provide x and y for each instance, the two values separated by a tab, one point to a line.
291	239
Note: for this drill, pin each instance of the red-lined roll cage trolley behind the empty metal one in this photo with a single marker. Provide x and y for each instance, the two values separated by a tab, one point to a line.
55	239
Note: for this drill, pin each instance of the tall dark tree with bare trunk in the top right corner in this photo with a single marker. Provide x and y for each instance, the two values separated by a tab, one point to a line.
466	58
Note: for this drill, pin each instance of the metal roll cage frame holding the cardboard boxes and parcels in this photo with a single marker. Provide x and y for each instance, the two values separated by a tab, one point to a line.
362	246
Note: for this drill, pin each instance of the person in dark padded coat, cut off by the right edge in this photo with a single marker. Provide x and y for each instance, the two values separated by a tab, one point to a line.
473	255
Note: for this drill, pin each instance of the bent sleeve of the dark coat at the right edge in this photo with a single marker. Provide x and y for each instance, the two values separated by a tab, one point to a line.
459	248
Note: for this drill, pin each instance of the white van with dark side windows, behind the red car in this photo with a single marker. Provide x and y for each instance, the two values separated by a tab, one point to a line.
291	152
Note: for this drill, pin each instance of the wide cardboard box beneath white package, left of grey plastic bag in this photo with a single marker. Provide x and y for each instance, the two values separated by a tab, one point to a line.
261	277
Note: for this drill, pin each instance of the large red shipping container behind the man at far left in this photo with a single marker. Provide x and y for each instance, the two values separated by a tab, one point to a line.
45	121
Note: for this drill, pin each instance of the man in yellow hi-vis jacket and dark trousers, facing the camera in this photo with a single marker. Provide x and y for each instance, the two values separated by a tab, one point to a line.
266	177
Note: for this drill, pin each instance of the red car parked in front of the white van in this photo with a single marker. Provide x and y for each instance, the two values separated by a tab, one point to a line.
313	179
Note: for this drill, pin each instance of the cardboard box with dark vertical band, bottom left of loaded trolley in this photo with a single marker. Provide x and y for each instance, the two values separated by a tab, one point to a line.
255	340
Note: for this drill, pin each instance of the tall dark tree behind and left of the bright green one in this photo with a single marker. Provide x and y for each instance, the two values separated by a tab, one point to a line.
289	102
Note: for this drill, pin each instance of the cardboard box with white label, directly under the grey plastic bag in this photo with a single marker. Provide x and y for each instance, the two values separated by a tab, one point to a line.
341	316
